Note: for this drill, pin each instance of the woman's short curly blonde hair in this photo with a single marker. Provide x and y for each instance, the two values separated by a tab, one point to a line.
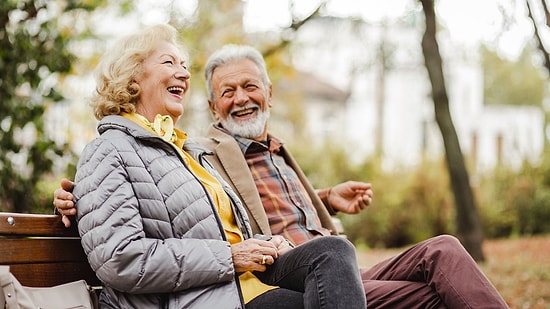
116	88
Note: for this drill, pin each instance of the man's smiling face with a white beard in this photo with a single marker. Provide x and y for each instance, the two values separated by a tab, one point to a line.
242	100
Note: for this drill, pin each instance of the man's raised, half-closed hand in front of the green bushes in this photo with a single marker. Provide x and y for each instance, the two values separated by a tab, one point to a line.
350	197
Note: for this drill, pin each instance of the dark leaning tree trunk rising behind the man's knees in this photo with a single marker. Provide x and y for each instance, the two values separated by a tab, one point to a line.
468	224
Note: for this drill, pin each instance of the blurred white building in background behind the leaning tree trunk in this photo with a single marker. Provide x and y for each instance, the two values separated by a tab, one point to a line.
348	55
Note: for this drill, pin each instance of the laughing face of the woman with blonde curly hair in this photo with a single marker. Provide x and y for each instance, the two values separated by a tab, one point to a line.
163	82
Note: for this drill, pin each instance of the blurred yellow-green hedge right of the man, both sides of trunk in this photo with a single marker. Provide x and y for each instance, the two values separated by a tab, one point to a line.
412	204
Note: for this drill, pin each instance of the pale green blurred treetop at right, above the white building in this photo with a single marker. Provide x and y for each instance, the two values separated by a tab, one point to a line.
517	82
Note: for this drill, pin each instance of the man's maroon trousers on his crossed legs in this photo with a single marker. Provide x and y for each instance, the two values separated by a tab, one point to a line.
436	273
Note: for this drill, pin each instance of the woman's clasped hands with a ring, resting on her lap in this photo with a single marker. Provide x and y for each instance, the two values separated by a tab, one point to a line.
253	255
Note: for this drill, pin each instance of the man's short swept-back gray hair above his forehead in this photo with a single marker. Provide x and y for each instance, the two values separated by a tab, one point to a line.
229	53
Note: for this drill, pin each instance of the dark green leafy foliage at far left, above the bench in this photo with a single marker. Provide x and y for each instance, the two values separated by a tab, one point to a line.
34	58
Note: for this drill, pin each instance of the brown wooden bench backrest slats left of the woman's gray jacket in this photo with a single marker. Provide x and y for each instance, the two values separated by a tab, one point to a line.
41	252
